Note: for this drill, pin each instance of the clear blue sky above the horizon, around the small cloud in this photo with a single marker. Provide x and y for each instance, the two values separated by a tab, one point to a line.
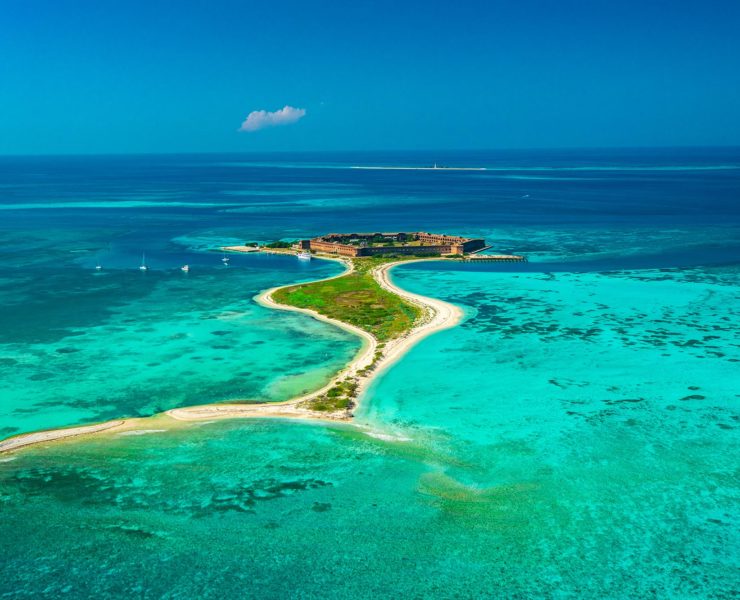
154	76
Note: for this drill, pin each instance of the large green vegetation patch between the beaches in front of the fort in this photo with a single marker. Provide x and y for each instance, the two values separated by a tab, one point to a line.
357	299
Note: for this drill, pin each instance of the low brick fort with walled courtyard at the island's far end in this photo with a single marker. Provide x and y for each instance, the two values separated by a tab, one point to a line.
373	244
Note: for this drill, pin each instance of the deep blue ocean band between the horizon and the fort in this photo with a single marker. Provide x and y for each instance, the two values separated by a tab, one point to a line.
166	204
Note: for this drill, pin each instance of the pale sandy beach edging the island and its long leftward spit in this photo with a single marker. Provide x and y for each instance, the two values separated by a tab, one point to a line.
437	315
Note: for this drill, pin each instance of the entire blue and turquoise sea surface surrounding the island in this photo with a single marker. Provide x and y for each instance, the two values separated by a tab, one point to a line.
577	434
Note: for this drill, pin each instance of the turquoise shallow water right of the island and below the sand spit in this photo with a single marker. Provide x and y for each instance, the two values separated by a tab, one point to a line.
574	436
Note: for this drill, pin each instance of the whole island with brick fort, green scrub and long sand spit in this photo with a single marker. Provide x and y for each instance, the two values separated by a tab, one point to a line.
363	300
